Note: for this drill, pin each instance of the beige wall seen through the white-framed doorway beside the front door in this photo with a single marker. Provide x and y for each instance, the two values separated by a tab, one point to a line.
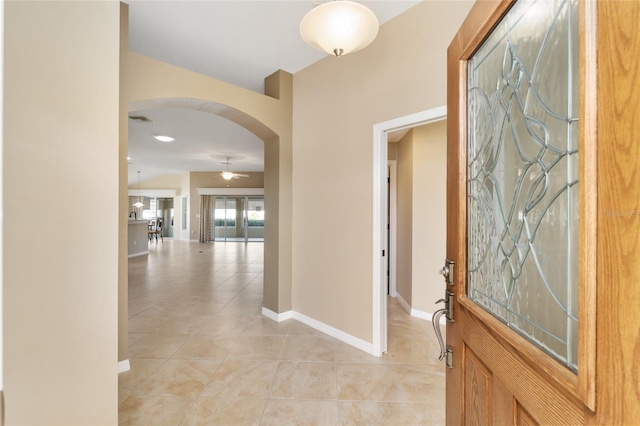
421	216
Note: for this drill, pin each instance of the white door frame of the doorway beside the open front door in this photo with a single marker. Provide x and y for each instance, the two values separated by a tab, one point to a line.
380	196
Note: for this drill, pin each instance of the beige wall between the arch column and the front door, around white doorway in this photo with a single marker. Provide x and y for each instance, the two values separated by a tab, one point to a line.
336	104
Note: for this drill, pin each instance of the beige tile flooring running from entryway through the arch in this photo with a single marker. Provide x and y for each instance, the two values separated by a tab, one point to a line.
202	353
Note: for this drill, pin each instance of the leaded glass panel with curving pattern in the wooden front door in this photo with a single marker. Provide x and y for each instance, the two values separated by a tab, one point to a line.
523	174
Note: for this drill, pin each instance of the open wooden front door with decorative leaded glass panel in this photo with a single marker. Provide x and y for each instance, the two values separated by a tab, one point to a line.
503	370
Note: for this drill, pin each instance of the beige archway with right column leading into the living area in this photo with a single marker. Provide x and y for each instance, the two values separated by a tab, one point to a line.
149	83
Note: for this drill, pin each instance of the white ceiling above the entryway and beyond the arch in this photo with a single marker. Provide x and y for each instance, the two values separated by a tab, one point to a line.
241	42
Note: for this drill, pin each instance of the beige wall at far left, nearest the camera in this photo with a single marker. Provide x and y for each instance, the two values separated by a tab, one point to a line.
60	286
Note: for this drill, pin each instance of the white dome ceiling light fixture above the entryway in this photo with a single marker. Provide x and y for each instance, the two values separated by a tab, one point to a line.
339	27
